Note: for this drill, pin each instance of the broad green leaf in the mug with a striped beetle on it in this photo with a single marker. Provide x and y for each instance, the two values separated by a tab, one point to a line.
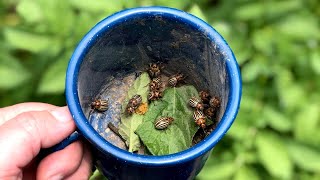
178	136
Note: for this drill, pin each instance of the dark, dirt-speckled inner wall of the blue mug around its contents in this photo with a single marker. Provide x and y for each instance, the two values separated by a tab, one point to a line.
128	47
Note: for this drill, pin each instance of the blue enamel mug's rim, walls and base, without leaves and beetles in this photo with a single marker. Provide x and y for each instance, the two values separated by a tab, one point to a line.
127	42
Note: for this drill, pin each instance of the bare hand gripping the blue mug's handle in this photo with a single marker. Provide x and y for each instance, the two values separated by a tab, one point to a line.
28	127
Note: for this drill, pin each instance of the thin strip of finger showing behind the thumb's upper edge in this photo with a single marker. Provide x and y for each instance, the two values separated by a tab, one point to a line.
10	112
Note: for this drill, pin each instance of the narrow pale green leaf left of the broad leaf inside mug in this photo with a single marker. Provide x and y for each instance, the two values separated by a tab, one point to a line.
129	123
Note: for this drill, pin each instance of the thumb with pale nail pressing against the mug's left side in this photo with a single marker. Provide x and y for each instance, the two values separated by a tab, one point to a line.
22	137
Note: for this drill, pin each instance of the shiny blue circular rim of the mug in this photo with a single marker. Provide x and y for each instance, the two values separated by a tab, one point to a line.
166	160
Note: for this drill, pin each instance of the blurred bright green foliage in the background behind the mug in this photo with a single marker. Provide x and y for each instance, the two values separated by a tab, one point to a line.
276	42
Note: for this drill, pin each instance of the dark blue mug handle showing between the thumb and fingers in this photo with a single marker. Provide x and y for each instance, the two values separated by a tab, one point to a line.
61	145
